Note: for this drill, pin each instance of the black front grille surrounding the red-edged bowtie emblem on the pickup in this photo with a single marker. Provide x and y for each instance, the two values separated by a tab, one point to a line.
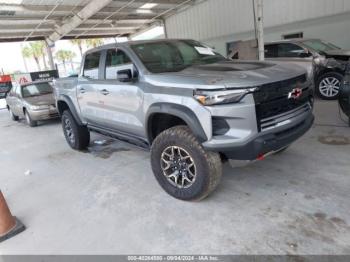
273	105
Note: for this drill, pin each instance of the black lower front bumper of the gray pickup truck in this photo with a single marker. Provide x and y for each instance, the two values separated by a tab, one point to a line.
266	143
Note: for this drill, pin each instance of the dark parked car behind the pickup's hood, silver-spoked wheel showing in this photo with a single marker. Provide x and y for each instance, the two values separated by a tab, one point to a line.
320	58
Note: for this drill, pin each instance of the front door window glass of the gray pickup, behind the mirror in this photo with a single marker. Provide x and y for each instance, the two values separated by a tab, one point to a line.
116	60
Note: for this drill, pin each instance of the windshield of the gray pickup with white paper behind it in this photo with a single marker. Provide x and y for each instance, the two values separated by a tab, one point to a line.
174	56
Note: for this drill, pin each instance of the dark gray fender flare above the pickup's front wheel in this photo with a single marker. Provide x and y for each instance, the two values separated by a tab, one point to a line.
179	111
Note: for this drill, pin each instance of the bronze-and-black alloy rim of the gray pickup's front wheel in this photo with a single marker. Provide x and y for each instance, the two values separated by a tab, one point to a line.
178	167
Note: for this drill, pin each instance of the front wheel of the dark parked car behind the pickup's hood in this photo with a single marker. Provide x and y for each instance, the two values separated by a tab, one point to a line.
328	85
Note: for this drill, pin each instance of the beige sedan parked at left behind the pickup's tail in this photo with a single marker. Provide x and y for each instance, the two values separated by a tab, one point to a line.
34	101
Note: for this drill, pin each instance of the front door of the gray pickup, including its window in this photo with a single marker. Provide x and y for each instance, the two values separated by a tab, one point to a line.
121	100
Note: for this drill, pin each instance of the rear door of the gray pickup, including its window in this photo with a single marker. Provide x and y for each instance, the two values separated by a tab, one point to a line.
87	94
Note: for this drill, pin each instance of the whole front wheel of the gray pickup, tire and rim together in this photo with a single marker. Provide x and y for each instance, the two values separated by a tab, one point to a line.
182	167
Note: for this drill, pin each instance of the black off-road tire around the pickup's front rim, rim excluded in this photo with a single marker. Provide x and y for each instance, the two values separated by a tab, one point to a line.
208	164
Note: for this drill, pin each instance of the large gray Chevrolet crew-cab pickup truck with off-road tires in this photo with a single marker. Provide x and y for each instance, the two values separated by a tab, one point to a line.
190	106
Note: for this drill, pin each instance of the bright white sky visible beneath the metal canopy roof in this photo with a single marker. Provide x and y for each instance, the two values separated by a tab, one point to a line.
11	59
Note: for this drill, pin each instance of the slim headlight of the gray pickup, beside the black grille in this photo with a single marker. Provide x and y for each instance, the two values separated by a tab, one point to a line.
208	97
